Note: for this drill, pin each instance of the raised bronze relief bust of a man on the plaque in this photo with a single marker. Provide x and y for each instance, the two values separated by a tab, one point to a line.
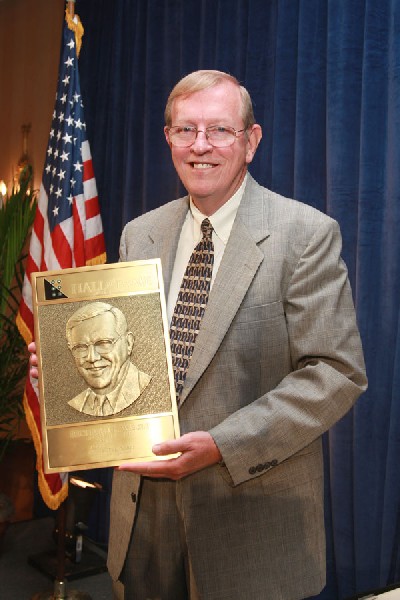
99	340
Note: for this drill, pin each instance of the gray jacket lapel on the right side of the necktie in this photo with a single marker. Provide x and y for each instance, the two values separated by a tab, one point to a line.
240	262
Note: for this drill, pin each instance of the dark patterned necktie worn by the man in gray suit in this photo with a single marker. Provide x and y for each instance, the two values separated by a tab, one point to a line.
191	304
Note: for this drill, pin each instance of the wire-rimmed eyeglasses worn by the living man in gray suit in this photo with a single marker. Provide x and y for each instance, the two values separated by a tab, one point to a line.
218	135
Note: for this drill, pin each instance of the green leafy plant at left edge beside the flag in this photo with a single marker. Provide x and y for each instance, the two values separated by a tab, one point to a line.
16	217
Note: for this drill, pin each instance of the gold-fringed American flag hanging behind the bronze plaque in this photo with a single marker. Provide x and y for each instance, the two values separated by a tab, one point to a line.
67	230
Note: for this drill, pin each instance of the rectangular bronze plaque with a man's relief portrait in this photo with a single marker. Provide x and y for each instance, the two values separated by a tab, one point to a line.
106	383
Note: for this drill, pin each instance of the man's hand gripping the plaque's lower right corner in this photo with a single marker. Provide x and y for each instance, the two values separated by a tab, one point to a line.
198	450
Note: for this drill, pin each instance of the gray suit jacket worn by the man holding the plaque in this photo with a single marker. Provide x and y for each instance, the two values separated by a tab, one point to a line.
277	361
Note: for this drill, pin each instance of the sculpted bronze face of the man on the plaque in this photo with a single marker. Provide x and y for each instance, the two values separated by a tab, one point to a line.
101	371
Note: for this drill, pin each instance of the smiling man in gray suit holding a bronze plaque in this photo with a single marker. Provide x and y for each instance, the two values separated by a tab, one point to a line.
277	360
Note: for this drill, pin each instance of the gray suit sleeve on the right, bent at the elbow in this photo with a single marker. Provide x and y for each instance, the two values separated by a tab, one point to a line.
328	372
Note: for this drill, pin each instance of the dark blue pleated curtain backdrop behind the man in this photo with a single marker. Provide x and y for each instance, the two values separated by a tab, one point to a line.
325	79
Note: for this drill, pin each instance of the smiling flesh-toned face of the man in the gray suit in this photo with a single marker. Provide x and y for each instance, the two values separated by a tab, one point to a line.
212	175
